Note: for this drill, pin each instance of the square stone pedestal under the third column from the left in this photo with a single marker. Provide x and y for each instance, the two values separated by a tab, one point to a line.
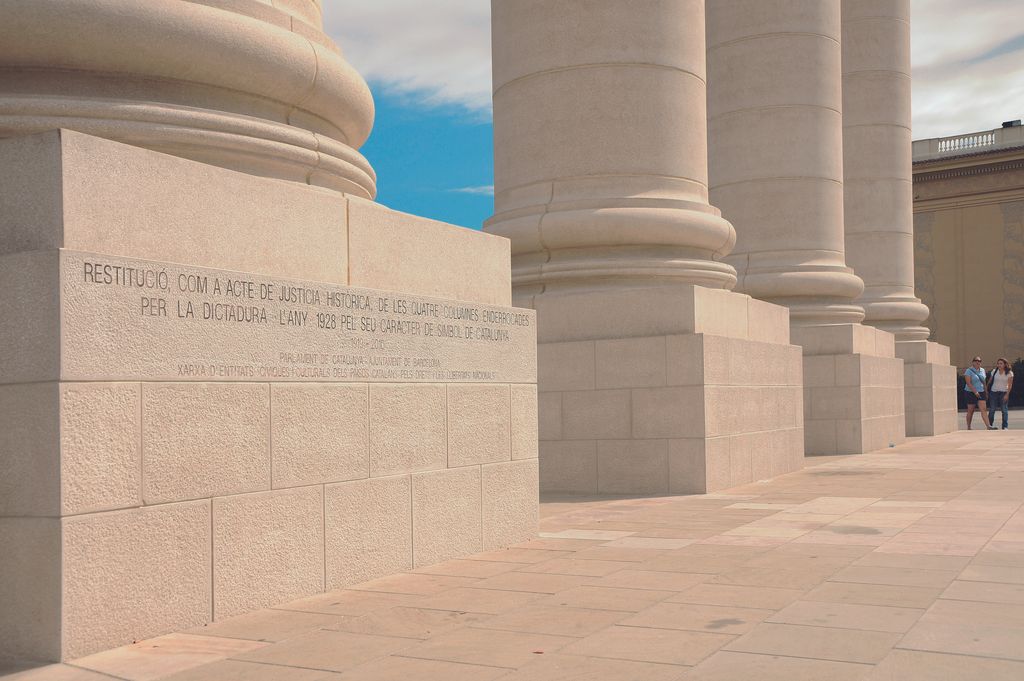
854	390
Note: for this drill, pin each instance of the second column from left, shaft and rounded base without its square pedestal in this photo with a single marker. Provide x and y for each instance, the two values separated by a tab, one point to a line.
601	146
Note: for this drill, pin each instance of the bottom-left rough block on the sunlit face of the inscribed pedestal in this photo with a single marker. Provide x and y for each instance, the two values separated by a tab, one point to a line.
145	572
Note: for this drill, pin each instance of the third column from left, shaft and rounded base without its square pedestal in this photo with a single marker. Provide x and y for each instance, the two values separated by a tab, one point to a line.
776	130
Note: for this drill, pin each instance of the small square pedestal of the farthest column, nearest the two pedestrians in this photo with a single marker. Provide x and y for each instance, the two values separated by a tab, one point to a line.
931	389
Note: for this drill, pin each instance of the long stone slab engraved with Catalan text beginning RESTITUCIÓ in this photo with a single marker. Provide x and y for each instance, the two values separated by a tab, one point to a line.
136	320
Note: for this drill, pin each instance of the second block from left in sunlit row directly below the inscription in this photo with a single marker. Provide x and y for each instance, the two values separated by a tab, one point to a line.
204	440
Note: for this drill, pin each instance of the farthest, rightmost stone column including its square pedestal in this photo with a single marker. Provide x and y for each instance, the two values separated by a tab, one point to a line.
879	206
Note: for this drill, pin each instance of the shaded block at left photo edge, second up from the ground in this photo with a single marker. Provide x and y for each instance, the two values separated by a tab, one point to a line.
30	450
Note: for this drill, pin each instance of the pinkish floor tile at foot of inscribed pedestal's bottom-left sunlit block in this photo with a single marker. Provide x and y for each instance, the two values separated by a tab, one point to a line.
164	656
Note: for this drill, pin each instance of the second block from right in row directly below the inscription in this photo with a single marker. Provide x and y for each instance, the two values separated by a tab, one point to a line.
479	424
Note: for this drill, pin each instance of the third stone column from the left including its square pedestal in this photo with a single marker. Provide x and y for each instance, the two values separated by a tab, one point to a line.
776	130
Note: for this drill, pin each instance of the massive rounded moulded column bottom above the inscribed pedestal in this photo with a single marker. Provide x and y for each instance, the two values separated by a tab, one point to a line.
247	86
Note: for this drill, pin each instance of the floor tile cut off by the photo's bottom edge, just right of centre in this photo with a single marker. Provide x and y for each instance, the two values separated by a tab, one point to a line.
565	668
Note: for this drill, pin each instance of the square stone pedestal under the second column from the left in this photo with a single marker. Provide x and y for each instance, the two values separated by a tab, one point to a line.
673	390
